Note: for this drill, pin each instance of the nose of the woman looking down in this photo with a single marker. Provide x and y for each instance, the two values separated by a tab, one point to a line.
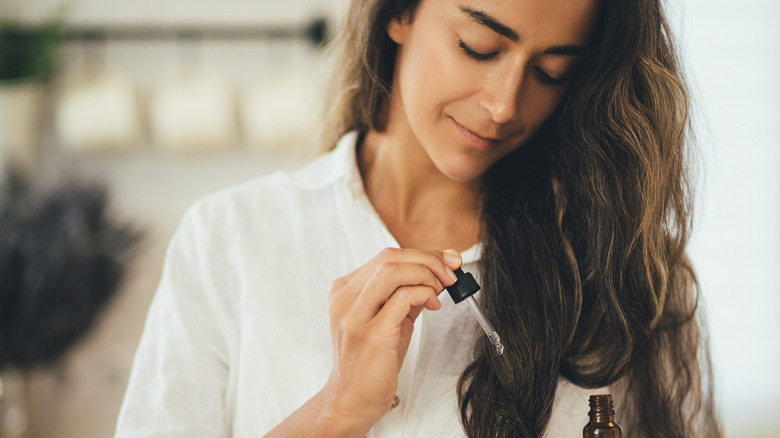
501	94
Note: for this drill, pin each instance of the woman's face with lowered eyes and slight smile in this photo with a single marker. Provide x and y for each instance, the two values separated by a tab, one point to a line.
475	79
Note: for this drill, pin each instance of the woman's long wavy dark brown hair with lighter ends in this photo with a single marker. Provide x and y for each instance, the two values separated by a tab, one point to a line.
583	229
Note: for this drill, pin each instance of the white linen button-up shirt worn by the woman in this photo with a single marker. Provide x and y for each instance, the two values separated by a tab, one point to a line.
237	336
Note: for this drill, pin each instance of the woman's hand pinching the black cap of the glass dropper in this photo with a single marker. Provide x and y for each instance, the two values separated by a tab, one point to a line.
372	313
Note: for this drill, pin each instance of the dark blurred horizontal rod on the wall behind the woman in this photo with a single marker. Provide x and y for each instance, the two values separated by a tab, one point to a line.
315	31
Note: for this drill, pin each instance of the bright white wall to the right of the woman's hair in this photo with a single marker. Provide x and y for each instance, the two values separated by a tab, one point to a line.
732	51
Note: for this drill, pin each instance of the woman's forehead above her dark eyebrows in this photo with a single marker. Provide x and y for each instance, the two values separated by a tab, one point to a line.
556	21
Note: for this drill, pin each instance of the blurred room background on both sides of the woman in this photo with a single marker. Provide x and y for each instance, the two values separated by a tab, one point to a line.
152	104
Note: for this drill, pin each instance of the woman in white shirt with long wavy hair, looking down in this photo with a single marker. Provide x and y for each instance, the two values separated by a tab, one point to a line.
542	141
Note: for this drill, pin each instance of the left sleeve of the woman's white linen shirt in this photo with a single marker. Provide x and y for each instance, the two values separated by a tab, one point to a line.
178	382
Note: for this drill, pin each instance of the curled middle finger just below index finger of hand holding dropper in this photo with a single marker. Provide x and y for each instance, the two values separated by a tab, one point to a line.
387	280
